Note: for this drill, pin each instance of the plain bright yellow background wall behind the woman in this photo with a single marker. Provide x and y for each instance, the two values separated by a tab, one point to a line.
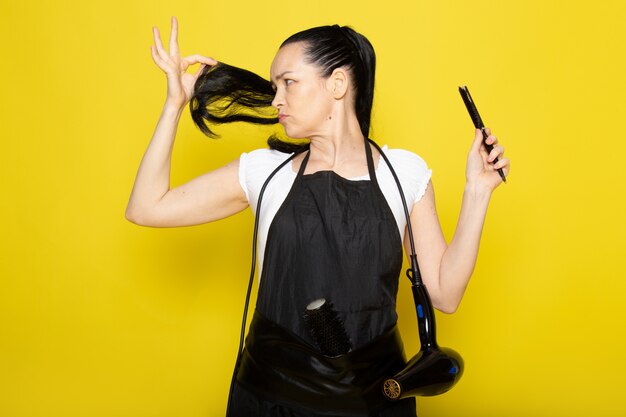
100	317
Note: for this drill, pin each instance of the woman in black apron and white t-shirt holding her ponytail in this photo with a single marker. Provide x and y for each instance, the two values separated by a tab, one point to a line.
331	223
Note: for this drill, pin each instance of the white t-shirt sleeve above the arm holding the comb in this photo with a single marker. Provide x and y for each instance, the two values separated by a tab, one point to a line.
414	173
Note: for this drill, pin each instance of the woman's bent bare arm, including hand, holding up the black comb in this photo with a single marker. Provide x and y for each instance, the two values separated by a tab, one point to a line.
446	269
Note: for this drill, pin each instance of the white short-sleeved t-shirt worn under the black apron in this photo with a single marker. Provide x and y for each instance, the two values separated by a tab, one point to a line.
256	166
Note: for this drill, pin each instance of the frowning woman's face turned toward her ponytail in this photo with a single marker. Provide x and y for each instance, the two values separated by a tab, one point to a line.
303	99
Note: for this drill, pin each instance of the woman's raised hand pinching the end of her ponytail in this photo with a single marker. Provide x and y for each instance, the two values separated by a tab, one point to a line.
180	84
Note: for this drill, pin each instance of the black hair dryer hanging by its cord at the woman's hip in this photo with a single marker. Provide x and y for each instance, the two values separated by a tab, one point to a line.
433	370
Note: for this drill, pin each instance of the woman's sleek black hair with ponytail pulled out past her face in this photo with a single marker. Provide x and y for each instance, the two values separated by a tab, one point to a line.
225	94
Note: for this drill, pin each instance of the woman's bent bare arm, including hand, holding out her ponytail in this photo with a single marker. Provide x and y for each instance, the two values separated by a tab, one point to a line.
209	197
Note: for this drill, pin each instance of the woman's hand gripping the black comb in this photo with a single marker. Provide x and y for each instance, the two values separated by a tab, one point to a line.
481	171
